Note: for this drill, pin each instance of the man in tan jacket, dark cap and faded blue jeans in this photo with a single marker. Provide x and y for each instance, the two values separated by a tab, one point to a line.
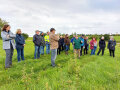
53	45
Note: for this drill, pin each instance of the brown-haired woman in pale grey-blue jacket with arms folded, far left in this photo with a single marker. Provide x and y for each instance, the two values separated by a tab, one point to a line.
8	44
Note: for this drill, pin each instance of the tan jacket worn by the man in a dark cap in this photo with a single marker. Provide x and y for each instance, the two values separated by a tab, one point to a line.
53	40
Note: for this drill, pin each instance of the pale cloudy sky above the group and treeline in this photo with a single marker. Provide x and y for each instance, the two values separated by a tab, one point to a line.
66	16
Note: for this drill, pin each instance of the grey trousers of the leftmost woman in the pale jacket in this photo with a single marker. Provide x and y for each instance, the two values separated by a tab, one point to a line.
9	54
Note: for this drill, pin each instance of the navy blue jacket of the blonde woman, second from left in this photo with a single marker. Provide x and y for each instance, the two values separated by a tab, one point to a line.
20	41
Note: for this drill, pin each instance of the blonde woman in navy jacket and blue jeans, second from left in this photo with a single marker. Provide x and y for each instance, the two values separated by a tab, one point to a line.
20	43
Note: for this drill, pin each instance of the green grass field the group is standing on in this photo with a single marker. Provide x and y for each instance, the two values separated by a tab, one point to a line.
86	73
